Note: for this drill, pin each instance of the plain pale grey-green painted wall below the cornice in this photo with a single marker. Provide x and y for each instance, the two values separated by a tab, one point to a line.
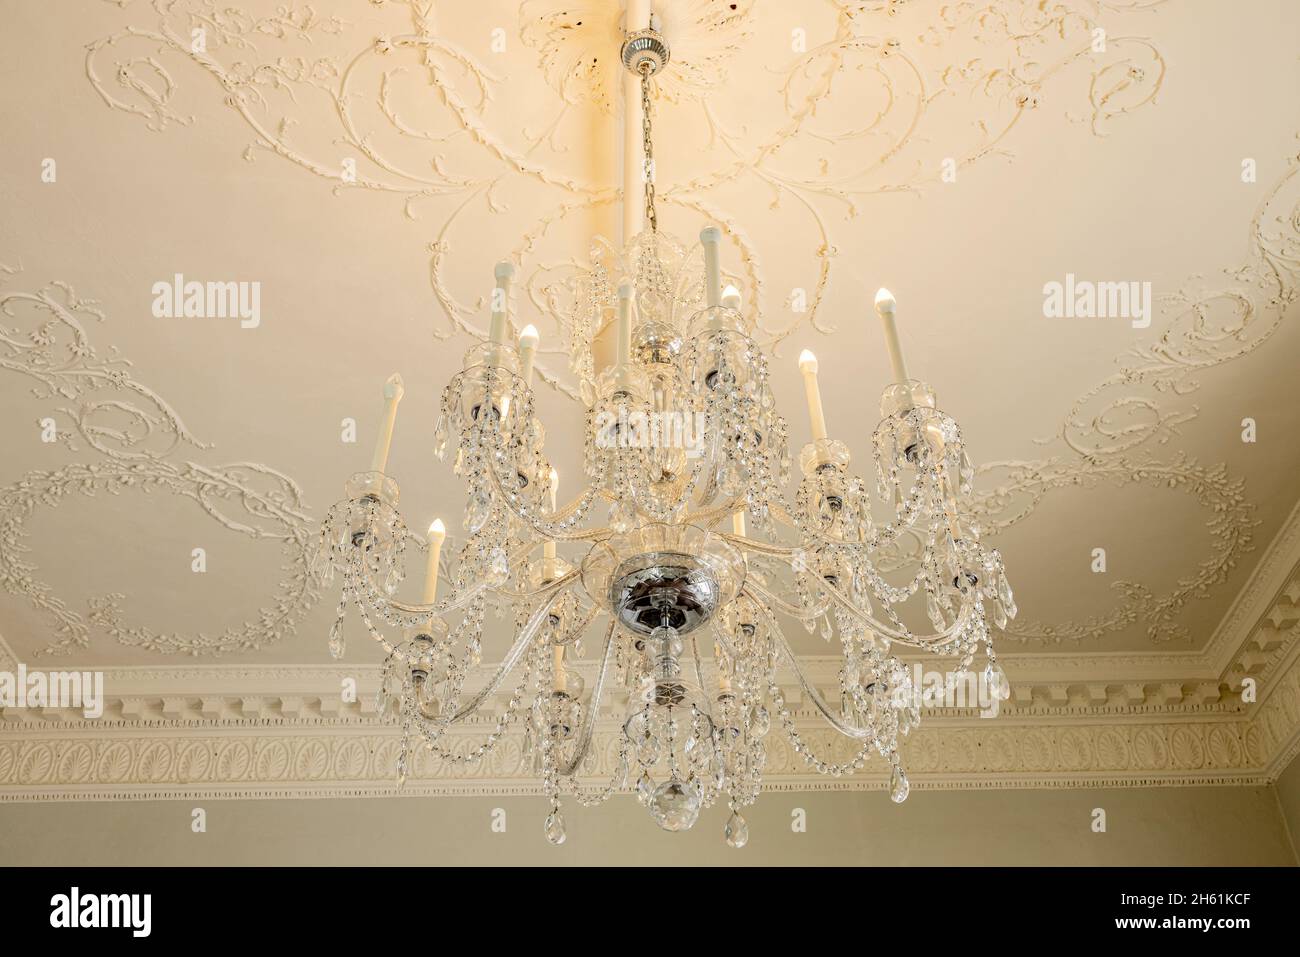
1159	826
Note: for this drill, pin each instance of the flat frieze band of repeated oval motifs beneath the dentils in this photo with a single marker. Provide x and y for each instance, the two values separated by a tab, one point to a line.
340	759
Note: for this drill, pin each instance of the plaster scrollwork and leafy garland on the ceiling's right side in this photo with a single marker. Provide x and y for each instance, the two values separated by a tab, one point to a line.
1146	402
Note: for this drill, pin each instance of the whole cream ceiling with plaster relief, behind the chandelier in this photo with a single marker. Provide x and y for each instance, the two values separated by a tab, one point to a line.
964	154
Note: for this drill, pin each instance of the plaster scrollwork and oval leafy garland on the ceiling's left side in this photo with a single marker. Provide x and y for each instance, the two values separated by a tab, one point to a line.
45	337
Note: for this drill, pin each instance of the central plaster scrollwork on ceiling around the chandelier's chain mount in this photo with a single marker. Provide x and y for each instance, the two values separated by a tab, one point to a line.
418	157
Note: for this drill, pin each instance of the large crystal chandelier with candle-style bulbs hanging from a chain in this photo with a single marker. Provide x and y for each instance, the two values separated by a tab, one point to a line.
688	544
